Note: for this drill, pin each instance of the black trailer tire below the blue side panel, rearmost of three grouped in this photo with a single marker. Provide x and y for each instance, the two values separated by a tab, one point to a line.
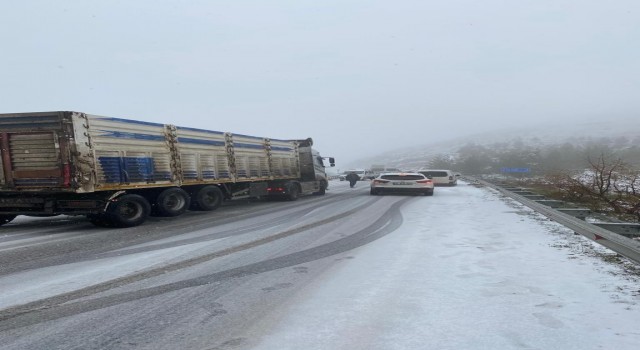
129	210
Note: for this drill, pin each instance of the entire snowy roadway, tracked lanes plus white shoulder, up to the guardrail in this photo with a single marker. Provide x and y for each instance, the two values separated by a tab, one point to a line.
464	269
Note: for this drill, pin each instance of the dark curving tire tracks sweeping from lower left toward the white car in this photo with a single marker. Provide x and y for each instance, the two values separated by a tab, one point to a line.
64	305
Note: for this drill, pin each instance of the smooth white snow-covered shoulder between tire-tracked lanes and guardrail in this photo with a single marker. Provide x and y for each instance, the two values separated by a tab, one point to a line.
468	269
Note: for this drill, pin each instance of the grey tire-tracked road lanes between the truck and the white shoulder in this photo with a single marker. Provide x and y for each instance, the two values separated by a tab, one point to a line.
193	282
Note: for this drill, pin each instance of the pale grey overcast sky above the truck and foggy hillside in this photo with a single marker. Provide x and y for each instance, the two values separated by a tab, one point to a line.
360	77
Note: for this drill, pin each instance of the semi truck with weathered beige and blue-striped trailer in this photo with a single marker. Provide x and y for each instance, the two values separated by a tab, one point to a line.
119	171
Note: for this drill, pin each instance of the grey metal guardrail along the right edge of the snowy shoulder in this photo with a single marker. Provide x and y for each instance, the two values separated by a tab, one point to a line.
619	244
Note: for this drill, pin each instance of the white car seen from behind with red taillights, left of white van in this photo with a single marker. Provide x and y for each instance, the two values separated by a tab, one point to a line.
402	183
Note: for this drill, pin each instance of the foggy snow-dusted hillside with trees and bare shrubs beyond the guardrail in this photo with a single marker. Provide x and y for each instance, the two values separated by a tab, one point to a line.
603	175
